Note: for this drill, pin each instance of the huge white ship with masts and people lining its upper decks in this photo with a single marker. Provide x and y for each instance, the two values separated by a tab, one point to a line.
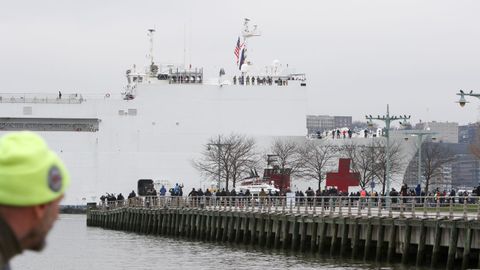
158	124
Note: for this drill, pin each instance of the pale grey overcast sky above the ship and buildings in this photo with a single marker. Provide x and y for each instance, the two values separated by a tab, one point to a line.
358	55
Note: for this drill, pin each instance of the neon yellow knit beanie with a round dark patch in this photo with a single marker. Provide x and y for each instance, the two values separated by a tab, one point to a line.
30	173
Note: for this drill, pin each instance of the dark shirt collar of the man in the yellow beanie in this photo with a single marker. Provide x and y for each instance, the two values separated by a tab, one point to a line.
9	245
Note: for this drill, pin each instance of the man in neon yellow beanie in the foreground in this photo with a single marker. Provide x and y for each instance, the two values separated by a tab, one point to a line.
32	183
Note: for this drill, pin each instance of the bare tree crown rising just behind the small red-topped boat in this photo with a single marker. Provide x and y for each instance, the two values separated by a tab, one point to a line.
289	156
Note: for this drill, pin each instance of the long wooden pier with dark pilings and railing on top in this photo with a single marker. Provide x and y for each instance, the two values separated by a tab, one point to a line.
422	231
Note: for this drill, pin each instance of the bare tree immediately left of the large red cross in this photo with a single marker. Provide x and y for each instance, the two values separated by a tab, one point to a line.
316	158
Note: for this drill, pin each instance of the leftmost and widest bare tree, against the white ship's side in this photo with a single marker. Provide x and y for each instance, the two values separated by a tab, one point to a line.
227	158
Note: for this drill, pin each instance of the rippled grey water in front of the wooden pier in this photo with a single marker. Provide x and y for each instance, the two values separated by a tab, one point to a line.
73	245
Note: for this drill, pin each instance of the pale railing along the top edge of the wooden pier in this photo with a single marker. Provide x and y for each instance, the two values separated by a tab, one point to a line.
409	206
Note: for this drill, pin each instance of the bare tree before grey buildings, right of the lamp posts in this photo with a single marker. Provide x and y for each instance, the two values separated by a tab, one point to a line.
434	157
